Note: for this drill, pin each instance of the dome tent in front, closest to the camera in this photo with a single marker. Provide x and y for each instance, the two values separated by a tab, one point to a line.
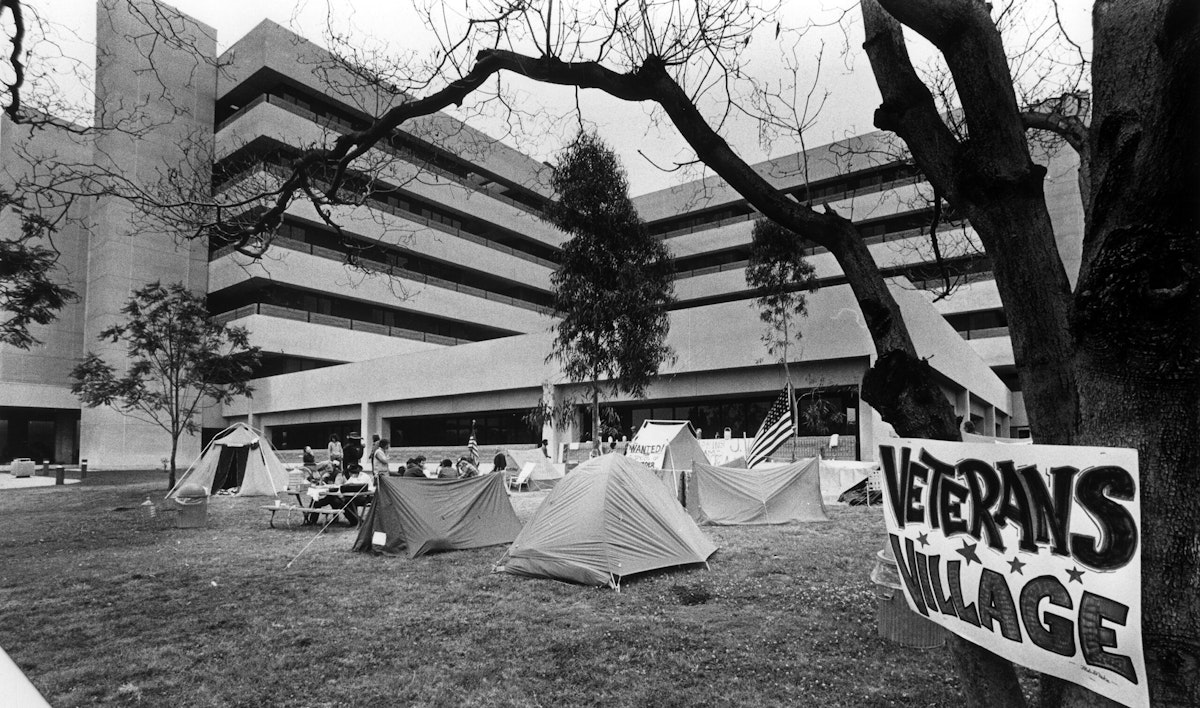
608	520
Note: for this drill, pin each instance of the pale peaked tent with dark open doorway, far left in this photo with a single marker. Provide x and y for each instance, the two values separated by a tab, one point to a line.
238	458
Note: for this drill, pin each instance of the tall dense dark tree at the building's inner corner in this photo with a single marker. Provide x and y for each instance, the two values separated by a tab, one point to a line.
615	285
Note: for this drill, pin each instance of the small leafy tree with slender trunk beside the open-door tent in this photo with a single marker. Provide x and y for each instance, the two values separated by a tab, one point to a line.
181	362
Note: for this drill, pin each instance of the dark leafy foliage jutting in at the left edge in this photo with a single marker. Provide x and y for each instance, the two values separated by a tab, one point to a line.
28	292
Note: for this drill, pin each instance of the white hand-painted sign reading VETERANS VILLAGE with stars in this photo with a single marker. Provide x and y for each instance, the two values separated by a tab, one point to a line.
1031	551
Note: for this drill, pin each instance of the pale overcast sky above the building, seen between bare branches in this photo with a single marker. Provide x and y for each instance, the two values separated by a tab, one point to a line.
845	74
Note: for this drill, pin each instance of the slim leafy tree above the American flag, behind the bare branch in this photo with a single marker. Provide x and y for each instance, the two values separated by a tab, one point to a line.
782	275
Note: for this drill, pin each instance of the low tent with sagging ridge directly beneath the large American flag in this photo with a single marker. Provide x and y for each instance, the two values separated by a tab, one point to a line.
728	496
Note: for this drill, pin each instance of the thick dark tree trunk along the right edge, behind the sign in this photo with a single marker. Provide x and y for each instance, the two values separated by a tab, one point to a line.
1138	310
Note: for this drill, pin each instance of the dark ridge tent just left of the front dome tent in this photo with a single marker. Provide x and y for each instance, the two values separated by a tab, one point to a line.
425	515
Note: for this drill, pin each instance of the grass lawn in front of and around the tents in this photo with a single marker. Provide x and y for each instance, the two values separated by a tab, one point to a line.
109	608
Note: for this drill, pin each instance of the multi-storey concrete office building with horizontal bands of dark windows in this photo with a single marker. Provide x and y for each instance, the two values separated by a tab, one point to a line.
459	332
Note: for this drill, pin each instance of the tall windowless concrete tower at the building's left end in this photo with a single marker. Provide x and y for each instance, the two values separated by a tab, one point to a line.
171	92
